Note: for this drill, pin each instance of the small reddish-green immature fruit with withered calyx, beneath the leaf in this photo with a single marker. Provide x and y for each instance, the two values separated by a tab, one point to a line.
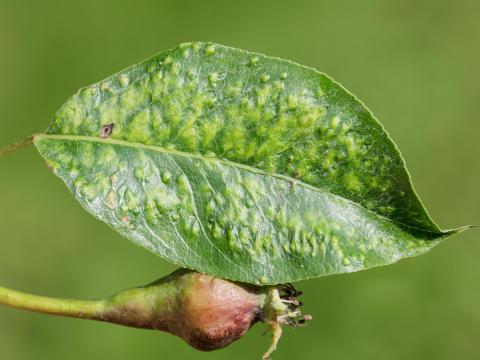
208	313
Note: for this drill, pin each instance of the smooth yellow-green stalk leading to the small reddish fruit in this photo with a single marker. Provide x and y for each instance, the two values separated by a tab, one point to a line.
86	309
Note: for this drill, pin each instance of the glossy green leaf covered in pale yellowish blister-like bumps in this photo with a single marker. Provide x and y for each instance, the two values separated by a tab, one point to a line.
239	165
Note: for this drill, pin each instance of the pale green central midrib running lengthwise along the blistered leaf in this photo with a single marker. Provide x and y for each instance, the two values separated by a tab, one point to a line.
252	169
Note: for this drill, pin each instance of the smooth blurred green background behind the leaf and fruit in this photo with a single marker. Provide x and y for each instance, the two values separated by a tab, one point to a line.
414	63
